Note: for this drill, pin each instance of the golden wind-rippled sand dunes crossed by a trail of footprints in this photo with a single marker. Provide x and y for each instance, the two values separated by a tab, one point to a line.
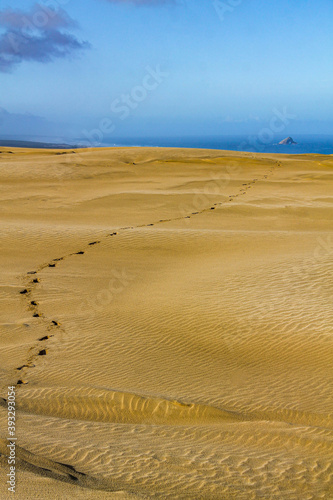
174	335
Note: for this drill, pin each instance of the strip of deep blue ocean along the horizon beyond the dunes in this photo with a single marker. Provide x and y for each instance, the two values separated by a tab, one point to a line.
306	144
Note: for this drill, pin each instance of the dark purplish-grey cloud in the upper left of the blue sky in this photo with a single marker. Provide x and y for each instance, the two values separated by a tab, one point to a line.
41	34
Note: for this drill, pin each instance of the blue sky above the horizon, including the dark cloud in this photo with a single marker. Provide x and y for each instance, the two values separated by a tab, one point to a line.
99	69
